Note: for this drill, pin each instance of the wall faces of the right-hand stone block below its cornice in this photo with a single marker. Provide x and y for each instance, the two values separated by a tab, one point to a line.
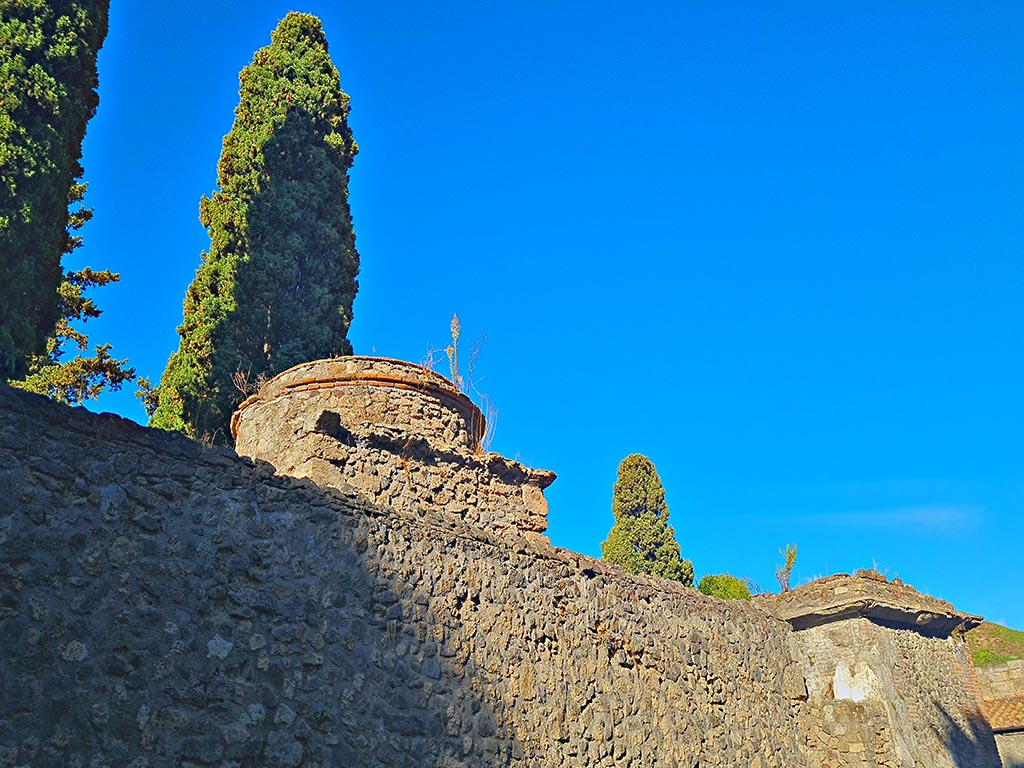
891	698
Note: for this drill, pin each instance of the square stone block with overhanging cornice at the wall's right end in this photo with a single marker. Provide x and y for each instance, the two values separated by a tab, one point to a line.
889	679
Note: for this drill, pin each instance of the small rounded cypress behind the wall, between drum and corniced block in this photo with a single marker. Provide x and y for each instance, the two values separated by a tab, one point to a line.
642	540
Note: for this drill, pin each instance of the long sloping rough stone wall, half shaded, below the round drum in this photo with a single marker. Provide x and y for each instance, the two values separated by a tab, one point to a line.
168	606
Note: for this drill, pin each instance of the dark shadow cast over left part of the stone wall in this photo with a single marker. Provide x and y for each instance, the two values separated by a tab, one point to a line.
169	606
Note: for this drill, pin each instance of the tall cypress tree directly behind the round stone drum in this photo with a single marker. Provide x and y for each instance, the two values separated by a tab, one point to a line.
277	286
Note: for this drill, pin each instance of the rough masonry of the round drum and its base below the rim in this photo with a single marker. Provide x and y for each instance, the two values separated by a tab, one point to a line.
346	438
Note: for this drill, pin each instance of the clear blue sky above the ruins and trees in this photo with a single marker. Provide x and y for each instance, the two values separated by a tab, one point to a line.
777	249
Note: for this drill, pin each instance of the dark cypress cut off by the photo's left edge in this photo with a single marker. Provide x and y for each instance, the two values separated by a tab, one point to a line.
49	84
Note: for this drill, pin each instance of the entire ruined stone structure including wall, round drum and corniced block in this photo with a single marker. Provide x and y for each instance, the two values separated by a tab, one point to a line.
165	605
